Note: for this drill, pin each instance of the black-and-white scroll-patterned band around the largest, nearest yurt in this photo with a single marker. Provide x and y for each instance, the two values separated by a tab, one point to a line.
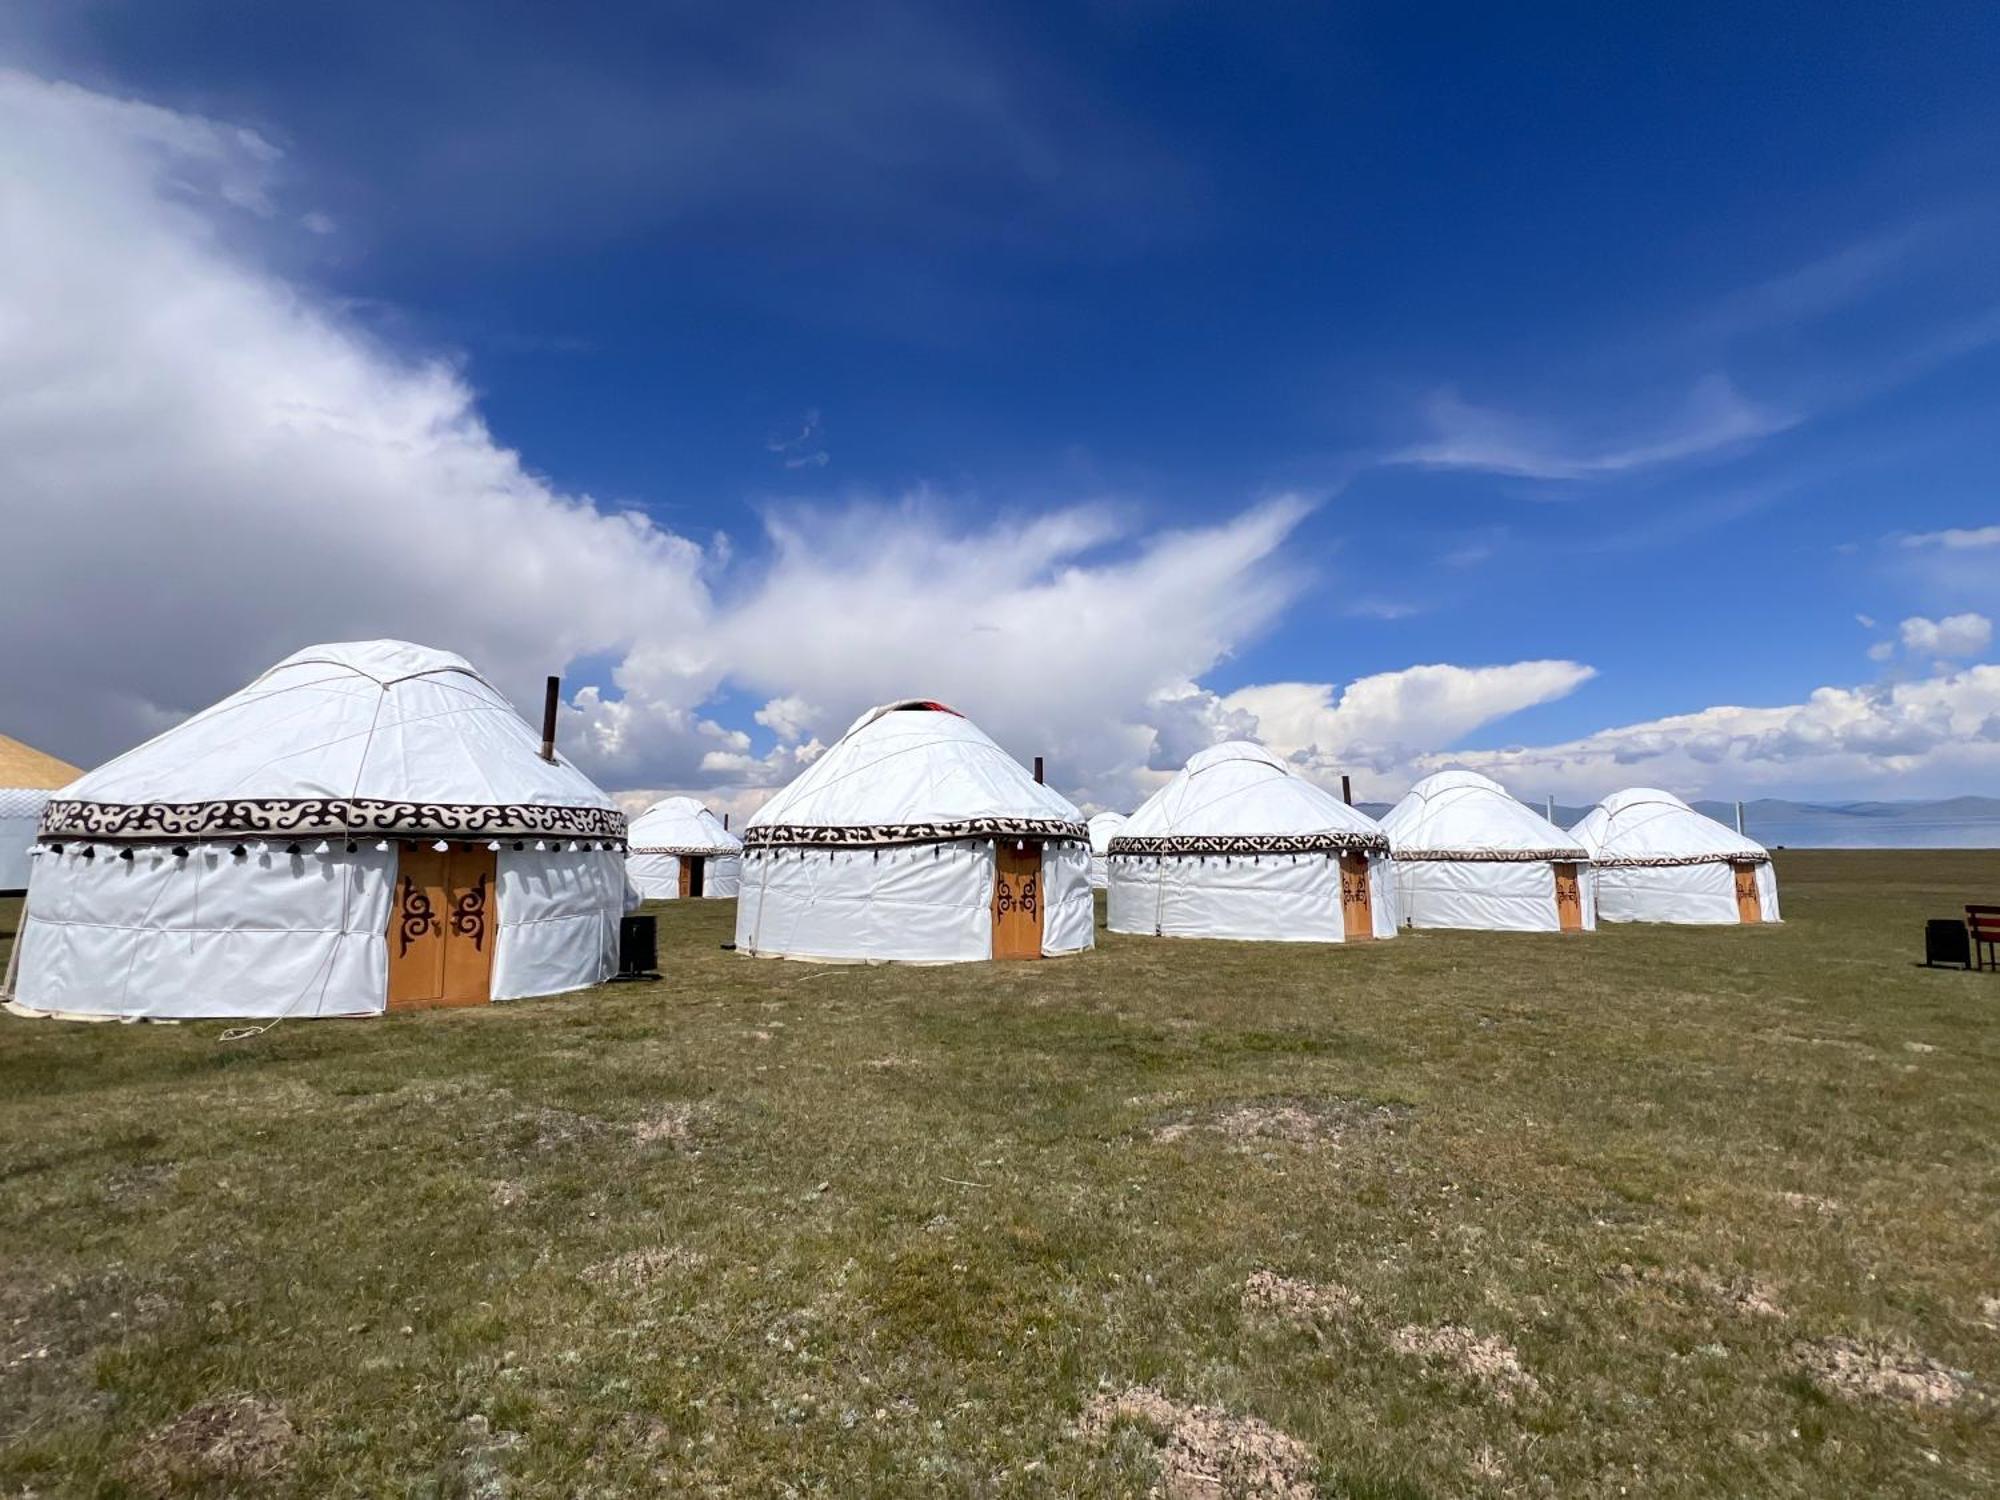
333	815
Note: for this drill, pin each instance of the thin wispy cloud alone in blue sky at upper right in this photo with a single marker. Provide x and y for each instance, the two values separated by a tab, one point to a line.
1717	417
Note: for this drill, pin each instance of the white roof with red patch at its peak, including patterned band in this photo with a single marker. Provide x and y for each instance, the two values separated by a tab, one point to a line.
913	773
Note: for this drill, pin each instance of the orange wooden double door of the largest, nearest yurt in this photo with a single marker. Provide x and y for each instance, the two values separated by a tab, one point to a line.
441	929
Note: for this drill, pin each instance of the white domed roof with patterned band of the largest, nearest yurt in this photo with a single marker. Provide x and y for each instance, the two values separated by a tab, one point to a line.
371	737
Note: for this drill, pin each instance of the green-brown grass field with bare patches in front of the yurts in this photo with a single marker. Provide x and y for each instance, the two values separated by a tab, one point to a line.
1655	1213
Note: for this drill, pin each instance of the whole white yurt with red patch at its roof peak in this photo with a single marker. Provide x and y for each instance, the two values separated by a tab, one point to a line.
915	839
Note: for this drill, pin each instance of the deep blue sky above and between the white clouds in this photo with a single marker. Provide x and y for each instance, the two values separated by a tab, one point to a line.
1631	339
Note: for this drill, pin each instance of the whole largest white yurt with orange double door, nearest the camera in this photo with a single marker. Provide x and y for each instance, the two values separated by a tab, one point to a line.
367	827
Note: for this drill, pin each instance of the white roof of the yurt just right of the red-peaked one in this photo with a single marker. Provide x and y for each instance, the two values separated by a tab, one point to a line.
1241	799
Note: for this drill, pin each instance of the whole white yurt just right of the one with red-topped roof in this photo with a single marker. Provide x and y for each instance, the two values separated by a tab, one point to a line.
1239	845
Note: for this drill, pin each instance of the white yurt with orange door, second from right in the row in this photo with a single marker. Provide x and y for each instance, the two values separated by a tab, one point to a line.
1473	857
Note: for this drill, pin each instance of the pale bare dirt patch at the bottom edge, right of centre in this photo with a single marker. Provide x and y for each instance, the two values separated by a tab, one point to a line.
1207	1453
